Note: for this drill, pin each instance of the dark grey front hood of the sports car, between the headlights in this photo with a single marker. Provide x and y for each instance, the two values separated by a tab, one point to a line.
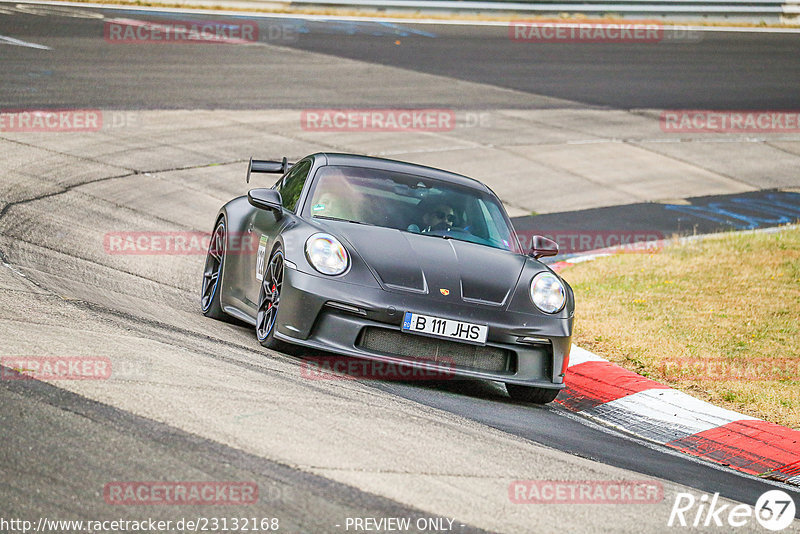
426	264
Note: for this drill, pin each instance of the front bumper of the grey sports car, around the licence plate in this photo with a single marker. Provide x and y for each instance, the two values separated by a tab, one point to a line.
328	314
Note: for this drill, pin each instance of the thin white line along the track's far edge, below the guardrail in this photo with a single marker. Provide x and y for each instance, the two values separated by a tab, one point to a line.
397	20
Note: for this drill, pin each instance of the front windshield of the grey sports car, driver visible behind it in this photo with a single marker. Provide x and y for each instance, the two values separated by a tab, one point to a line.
410	203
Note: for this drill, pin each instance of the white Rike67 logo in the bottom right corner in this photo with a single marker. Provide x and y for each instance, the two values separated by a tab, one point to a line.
774	510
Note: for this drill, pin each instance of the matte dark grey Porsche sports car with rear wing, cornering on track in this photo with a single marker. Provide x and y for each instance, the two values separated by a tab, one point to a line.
393	262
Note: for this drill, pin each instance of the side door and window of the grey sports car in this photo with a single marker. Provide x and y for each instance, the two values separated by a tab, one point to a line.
266	226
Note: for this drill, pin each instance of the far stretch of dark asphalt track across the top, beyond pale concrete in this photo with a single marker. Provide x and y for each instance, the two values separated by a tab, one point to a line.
713	70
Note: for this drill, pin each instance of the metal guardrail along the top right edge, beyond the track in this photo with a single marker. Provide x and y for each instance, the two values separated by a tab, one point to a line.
737	10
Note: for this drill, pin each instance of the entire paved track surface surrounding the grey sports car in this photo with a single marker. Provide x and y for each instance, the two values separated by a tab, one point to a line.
193	399
